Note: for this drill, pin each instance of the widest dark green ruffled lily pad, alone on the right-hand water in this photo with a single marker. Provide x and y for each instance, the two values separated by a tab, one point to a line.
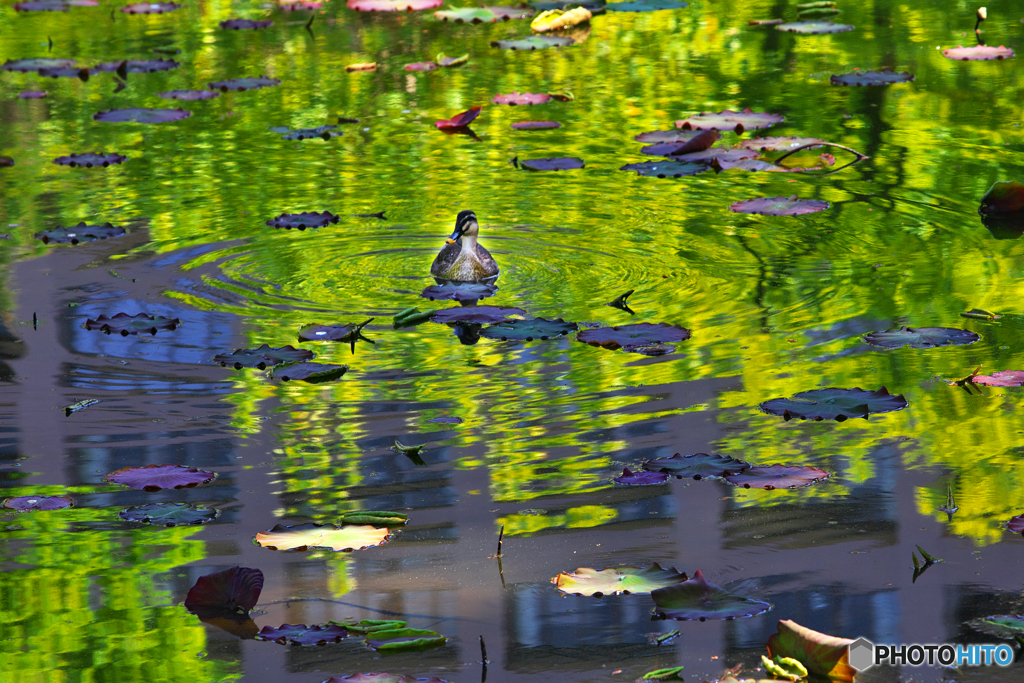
834	404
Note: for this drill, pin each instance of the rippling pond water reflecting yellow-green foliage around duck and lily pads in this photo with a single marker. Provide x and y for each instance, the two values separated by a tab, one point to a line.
777	306
